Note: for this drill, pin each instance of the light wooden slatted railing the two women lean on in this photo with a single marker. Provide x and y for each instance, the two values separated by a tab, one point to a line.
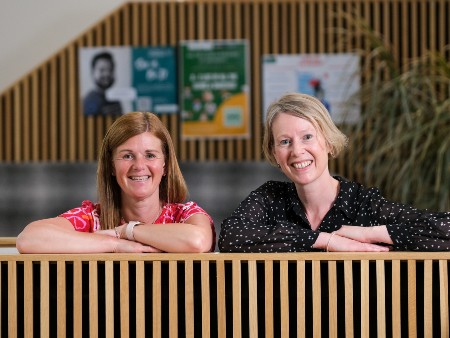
394	294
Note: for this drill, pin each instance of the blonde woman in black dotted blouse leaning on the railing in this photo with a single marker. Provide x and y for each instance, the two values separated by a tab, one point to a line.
317	211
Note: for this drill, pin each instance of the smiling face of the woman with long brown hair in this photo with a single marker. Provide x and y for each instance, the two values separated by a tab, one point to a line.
139	166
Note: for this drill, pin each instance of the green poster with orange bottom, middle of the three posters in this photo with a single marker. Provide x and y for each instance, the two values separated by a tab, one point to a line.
214	89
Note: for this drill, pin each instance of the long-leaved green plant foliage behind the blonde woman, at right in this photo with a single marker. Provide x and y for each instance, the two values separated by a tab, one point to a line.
404	133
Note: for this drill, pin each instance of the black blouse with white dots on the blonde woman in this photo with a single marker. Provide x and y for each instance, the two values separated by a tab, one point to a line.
272	219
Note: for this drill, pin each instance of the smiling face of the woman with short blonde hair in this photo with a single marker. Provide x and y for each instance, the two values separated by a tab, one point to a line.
299	149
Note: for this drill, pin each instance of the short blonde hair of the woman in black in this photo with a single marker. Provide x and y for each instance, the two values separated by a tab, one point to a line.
309	108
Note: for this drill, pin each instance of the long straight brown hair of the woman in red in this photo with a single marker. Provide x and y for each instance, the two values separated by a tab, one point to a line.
172	188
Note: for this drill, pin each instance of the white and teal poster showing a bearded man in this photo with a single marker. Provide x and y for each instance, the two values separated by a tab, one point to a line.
116	80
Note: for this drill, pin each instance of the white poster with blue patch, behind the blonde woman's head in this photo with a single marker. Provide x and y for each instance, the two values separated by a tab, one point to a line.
333	78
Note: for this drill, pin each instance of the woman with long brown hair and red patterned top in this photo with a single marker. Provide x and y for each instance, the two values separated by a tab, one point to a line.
141	200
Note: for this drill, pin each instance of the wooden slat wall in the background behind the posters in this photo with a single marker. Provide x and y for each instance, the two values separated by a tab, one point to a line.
41	118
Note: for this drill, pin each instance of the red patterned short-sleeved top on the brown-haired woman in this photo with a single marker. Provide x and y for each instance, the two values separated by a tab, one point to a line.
87	217
